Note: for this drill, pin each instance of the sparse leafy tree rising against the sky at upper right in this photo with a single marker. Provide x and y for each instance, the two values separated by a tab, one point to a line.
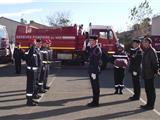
141	17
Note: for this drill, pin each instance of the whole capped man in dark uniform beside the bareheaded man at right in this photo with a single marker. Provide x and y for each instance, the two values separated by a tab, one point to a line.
135	56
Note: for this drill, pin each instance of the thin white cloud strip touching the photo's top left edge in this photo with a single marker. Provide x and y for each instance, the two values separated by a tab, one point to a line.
15	1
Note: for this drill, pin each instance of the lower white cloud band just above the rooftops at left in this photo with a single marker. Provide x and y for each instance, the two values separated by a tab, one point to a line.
21	13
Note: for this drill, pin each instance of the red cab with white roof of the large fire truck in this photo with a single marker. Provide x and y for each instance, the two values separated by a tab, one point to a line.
107	40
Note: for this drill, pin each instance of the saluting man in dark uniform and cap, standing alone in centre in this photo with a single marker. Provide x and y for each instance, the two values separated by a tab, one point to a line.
94	70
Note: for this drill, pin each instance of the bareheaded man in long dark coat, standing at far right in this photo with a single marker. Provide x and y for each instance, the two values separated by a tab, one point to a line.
149	70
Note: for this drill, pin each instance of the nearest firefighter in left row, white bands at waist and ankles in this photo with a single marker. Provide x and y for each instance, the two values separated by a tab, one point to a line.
33	62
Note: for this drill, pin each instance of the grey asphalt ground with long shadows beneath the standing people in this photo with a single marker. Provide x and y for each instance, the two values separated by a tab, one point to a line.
69	93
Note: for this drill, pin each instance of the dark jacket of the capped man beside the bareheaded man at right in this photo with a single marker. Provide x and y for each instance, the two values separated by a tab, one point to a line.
135	60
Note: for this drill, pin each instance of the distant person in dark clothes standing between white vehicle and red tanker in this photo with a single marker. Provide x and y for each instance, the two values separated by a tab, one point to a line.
18	56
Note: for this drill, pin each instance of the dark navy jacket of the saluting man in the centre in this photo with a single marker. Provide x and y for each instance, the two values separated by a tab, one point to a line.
95	54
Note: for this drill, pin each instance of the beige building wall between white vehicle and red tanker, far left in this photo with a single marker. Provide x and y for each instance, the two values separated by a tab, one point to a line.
11	27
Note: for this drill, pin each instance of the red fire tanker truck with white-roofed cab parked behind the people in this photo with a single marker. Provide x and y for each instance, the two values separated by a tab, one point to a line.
66	42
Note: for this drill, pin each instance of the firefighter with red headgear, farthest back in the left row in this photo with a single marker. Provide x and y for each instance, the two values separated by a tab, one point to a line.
43	74
